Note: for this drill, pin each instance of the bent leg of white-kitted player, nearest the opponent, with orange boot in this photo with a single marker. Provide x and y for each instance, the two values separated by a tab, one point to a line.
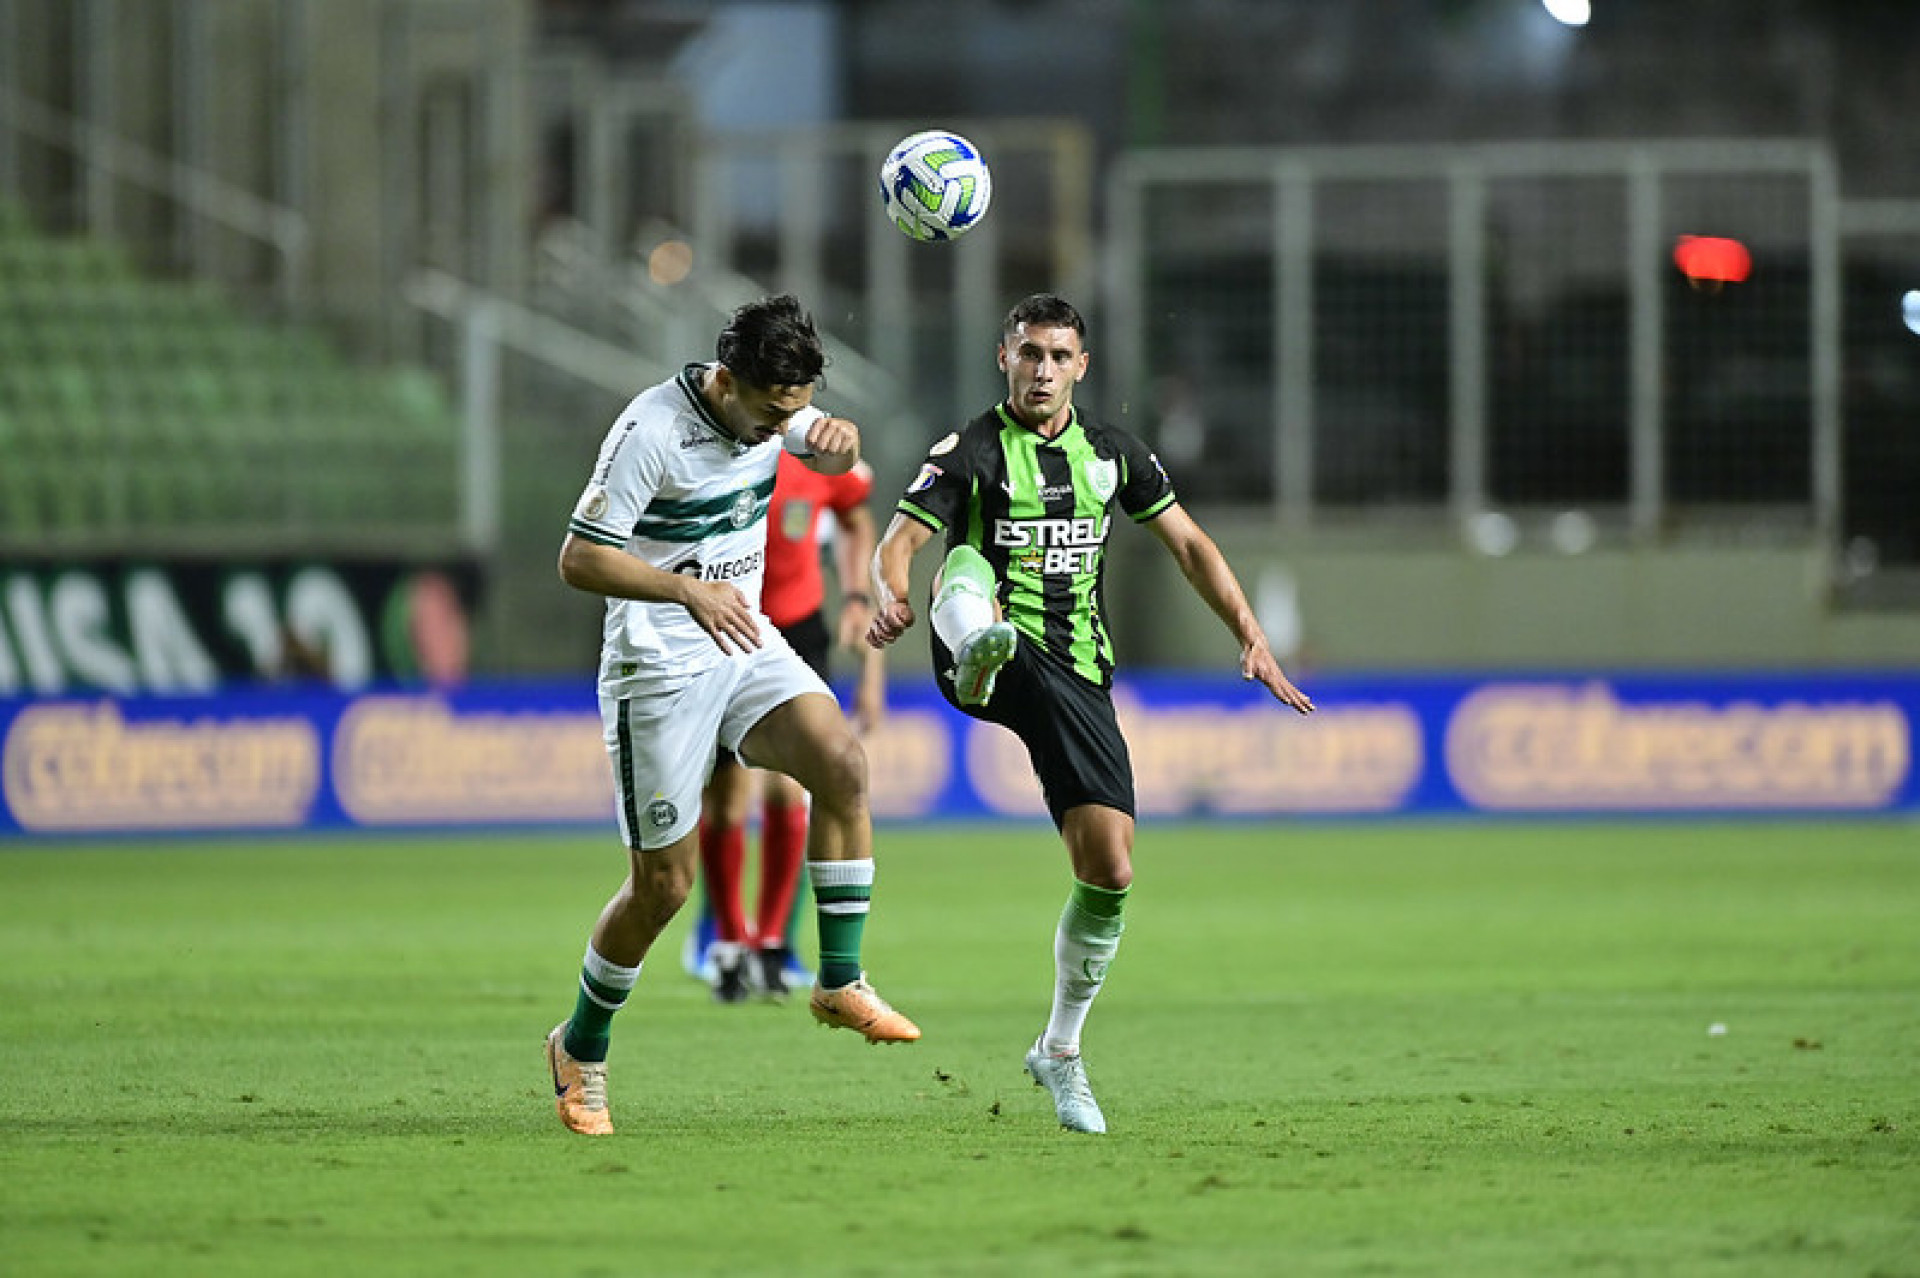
807	738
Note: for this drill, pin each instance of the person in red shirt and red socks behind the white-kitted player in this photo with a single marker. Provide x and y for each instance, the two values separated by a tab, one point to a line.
736	957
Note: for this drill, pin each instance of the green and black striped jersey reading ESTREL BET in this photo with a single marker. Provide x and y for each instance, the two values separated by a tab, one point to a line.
1042	511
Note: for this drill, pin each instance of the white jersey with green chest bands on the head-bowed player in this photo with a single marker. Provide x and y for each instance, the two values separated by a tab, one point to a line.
675	488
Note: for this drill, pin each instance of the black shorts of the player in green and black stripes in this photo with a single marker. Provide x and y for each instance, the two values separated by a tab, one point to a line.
1068	726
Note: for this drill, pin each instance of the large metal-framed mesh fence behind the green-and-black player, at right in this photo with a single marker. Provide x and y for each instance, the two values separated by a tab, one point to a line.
1493	333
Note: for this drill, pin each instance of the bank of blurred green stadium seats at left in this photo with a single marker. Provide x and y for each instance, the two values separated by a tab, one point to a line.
216	417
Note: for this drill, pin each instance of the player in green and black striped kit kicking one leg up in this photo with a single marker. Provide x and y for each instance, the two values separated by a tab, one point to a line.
1026	496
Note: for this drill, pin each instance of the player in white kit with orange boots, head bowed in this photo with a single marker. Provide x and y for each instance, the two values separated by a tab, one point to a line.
673	532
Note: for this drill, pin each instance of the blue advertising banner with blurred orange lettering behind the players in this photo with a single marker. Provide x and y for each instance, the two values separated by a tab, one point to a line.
1203	747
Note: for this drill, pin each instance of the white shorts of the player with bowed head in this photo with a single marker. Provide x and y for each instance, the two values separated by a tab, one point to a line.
663	745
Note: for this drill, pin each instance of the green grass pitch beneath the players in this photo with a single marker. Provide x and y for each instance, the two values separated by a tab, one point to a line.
1324	1051
